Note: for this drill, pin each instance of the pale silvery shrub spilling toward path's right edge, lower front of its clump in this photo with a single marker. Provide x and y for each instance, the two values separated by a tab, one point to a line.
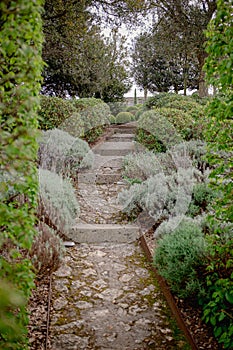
161	195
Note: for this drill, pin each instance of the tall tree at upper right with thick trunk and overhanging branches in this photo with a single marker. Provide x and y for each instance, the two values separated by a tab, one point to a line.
177	39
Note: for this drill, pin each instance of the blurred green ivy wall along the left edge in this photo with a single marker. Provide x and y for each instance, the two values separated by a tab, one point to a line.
20	77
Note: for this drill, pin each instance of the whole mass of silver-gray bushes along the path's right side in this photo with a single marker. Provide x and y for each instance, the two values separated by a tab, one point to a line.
168	180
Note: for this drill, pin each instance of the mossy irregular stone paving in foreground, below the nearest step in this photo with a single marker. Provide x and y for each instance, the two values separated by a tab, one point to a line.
105	298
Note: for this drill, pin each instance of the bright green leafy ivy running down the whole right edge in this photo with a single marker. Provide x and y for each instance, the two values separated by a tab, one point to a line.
217	304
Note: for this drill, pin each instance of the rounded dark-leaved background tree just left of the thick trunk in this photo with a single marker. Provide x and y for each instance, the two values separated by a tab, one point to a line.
160	65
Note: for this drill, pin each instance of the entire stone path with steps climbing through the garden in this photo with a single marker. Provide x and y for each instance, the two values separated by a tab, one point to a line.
104	296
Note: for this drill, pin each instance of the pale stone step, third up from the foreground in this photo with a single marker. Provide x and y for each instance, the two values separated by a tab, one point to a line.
114	148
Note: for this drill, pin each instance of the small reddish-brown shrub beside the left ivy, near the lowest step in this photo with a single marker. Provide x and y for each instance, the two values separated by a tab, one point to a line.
47	251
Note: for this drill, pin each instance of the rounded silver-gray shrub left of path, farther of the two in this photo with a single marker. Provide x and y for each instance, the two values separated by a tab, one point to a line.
62	153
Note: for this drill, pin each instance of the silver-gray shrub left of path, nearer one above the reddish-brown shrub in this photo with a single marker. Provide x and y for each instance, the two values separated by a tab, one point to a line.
58	205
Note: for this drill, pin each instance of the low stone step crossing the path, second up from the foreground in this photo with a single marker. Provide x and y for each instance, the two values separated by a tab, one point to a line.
98	179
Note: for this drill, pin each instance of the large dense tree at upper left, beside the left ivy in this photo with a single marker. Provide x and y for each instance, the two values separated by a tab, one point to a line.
80	61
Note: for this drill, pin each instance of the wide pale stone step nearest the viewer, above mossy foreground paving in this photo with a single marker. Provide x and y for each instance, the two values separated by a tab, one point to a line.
101	233
